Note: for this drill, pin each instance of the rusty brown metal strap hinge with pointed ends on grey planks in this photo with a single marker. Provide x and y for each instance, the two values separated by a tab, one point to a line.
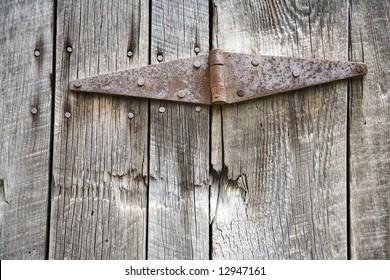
219	78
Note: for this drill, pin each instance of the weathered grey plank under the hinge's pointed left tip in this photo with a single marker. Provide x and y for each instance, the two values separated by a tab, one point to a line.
99	192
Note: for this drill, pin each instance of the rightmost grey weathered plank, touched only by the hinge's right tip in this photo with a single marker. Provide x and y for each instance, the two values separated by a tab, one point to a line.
370	131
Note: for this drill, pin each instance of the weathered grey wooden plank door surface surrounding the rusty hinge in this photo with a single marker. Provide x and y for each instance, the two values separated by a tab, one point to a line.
299	175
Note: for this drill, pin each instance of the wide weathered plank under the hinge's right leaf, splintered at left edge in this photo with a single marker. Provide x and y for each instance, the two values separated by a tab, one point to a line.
282	190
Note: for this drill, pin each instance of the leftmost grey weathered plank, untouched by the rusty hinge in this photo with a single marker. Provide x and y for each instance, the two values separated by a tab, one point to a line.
25	133
